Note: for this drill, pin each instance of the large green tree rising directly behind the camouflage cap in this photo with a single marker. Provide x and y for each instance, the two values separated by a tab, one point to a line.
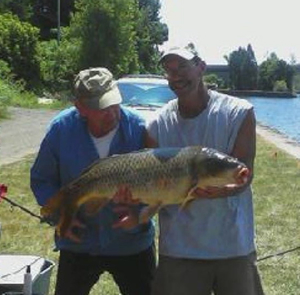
106	30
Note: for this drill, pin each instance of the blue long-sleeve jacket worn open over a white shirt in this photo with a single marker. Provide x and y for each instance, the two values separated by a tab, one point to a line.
66	150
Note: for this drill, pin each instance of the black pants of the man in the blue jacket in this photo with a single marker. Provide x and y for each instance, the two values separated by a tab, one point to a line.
78	273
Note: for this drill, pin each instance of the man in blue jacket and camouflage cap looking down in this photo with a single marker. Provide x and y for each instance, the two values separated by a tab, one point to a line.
96	127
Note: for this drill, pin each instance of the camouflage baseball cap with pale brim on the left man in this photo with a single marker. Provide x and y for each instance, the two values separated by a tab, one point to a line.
97	88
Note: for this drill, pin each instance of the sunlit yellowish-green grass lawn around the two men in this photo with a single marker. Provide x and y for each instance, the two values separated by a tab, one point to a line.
276	189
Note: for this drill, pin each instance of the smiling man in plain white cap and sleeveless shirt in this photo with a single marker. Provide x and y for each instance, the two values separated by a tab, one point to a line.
209	246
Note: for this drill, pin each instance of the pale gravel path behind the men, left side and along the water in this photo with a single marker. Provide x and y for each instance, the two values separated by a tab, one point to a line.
21	135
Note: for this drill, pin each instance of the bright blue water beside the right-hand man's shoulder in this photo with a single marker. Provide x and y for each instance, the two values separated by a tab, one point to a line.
283	114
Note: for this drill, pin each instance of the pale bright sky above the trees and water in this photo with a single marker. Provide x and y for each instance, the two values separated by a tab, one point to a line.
218	27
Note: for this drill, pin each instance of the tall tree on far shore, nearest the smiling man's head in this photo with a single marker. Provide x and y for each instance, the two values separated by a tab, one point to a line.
243	69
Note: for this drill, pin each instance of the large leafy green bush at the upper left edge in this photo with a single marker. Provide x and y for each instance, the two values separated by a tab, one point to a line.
18	41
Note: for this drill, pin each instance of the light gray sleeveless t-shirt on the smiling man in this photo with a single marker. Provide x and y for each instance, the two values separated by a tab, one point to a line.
208	228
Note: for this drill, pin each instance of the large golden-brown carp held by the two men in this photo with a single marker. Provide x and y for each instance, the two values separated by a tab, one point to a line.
154	176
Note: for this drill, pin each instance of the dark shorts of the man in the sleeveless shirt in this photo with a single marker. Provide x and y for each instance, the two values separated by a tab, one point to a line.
234	276
